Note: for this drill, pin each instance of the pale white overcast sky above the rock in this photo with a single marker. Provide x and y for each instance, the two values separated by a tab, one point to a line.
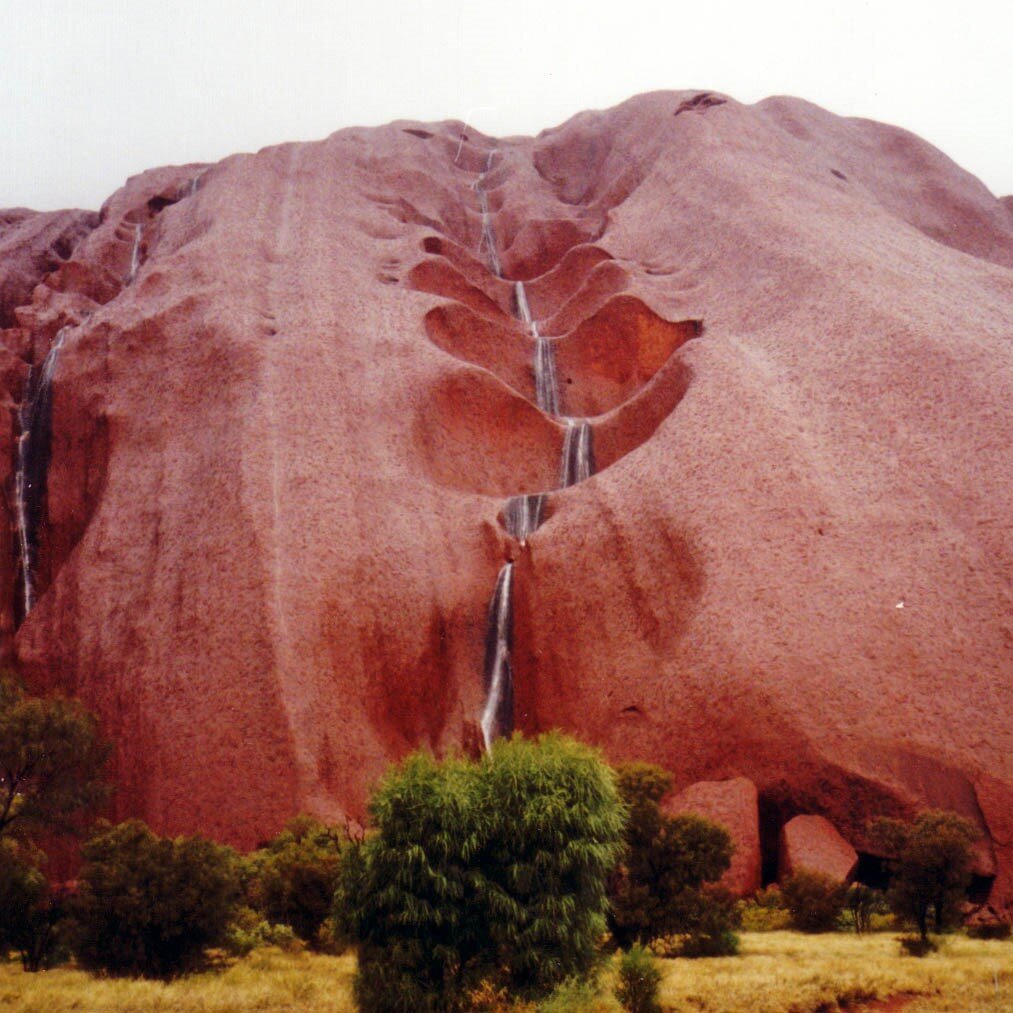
93	92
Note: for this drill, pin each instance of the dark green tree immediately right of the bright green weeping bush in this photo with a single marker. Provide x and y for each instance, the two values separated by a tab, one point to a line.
661	888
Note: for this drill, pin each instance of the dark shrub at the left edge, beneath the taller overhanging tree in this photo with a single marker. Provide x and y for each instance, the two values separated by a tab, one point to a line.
30	910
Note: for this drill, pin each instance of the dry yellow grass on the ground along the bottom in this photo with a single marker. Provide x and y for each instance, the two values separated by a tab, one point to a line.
778	972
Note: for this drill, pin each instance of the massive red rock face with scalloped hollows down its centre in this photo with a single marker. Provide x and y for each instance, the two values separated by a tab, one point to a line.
293	396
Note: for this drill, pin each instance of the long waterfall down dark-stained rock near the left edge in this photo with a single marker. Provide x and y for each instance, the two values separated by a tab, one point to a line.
33	463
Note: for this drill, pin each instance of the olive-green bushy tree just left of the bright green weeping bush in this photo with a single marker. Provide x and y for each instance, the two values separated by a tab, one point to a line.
293	879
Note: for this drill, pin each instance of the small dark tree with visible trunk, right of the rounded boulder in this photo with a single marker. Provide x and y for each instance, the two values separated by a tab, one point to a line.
930	868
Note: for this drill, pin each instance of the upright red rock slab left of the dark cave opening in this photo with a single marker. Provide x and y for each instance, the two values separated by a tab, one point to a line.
734	805
